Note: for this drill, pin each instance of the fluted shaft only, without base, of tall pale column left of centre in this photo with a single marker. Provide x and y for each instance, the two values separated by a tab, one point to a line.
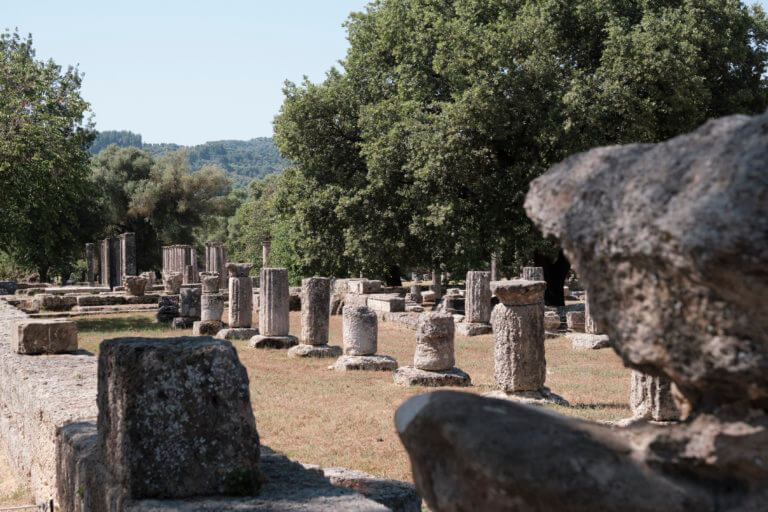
273	302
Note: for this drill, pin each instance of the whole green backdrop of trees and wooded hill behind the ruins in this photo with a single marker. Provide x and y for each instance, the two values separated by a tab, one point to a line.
415	153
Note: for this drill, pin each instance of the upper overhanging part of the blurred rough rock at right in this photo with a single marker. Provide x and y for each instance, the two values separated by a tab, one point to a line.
681	228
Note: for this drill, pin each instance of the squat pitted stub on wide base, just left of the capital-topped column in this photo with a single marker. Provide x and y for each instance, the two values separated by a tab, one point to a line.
433	360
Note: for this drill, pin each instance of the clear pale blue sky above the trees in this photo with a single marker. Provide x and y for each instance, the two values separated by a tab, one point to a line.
188	71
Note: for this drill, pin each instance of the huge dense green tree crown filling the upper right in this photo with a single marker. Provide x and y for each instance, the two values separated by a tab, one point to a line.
421	151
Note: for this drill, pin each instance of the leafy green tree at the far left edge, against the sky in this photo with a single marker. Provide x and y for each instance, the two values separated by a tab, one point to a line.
44	137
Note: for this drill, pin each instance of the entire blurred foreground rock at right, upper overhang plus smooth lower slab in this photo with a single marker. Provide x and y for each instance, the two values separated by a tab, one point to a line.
670	242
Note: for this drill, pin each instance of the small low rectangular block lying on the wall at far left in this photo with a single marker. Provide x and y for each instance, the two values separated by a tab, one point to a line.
43	336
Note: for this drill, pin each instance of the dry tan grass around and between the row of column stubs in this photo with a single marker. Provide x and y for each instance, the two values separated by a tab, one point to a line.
329	418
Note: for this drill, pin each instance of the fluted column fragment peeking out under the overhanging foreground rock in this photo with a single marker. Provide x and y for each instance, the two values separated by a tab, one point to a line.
651	398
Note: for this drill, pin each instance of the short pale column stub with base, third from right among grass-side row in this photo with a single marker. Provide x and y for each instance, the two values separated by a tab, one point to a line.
360	334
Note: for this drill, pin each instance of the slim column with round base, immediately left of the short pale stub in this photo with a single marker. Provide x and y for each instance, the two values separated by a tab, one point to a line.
315	320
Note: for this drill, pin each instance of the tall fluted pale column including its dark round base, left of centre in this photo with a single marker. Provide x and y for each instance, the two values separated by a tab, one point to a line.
273	311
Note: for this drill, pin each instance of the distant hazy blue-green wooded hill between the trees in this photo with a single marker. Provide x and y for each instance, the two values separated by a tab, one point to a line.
244	160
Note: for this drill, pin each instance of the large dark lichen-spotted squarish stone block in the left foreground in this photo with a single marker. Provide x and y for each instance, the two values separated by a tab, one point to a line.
161	431
